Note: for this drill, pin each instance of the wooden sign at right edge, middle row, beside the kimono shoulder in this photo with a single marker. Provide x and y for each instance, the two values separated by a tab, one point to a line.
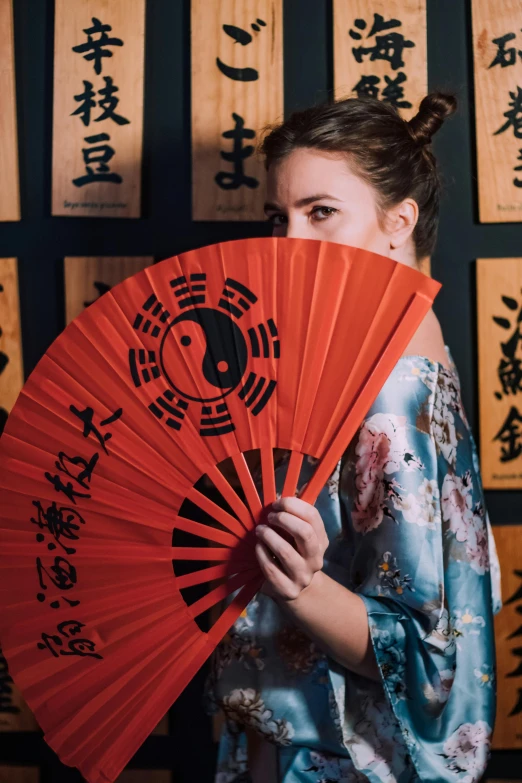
499	308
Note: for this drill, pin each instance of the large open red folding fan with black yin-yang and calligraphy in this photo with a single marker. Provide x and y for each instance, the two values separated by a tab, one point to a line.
205	358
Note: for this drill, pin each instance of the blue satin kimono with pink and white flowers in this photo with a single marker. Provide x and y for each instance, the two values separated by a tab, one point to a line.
408	532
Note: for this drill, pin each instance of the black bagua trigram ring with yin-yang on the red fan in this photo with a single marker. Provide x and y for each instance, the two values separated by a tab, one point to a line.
222	354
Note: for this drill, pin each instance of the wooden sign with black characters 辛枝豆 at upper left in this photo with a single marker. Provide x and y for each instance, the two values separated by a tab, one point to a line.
98	107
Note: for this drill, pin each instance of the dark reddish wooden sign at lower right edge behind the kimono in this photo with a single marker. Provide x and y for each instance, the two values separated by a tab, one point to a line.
508	635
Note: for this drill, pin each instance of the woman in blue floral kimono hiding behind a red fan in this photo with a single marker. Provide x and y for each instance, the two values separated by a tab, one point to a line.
369	654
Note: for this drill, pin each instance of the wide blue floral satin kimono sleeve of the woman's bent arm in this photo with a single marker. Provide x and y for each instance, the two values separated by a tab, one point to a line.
420	538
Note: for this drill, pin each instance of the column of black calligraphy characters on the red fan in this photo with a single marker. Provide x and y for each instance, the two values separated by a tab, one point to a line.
60	525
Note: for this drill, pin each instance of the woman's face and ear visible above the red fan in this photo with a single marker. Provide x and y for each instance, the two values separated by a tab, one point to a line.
313	195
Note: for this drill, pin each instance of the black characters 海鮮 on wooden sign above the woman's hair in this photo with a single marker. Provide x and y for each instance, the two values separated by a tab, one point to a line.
381	40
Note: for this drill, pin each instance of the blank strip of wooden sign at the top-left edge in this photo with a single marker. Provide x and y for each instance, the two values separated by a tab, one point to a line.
9	192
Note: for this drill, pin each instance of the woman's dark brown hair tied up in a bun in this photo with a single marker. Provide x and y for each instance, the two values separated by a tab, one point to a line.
390	154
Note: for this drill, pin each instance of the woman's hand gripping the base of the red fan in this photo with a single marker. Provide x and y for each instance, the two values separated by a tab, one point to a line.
289	568
